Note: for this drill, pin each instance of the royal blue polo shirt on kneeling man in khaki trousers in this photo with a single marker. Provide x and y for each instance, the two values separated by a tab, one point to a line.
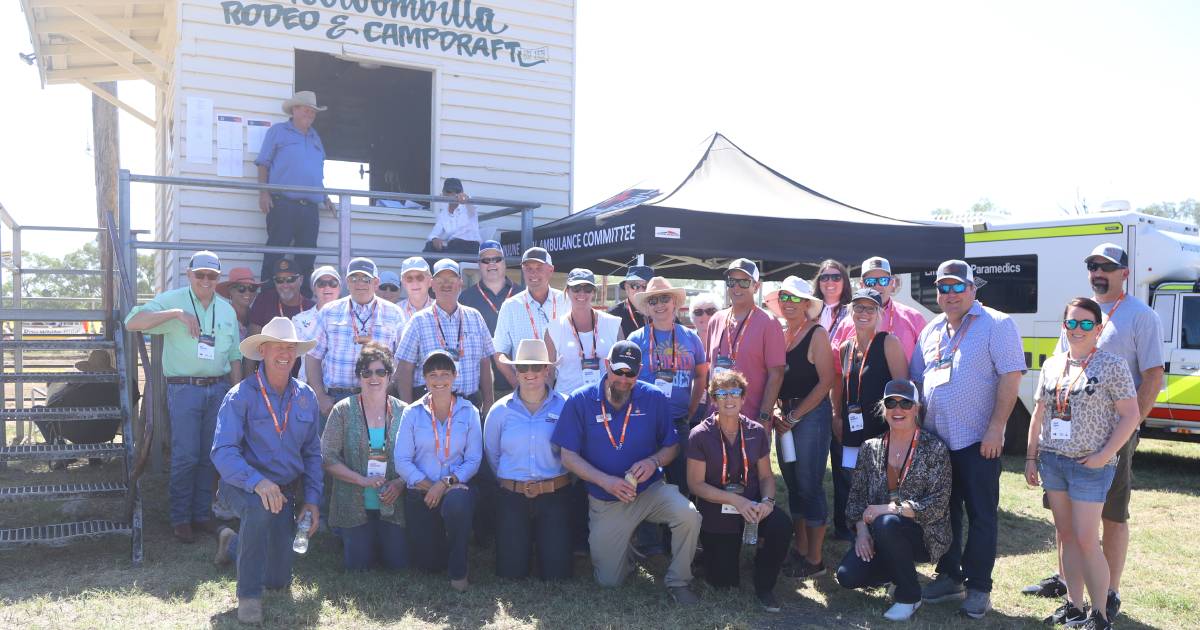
581	430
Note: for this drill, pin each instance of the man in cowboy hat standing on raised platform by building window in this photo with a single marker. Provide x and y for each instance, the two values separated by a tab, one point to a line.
293	155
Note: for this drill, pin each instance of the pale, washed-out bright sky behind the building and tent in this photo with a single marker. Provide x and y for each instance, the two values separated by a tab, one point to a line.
893	107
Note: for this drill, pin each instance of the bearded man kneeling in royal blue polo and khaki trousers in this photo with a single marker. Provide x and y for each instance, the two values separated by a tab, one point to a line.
617	436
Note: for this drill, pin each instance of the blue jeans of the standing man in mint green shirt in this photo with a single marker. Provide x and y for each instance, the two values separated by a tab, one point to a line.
194	419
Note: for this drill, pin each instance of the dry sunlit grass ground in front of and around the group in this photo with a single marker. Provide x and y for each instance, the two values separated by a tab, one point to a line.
93	585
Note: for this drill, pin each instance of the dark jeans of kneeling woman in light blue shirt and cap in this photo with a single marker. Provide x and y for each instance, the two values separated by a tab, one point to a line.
439	538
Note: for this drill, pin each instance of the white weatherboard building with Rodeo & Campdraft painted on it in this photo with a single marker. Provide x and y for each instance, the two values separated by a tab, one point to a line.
418	91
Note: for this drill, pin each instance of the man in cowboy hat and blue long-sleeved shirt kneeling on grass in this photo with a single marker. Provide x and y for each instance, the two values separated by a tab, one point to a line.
268	452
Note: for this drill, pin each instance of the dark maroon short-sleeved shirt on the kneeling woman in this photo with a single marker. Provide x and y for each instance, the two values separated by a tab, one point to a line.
705	445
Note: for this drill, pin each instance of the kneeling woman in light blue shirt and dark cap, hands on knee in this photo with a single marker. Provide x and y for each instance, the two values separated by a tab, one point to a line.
439	452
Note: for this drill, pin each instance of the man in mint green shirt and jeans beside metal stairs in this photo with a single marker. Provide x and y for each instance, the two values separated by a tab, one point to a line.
200	361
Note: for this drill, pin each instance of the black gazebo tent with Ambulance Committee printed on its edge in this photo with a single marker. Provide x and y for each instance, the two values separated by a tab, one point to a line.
733	206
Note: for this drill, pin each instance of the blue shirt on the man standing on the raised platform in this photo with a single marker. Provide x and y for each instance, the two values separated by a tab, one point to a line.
293	159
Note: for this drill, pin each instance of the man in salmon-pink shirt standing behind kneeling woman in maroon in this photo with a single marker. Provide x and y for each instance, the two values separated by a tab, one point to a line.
749	340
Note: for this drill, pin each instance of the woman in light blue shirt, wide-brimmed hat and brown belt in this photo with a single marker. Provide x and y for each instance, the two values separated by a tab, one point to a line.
533	507
